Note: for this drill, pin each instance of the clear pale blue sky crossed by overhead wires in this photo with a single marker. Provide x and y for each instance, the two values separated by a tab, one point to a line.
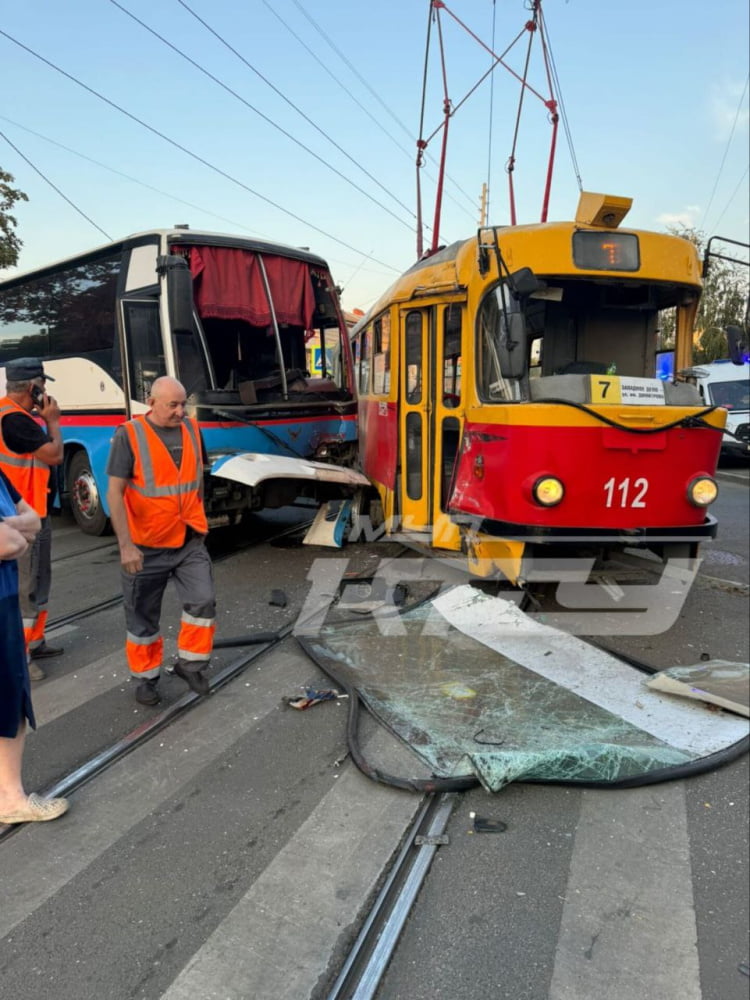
297	121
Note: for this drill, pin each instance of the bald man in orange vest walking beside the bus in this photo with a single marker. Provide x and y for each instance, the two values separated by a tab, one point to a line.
155	496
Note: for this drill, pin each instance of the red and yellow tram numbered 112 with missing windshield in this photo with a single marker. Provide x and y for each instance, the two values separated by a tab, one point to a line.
509	407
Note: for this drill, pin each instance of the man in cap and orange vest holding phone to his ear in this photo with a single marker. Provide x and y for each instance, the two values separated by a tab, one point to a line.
30	443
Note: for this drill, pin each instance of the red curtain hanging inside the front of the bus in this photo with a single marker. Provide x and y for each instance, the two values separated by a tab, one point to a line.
228	284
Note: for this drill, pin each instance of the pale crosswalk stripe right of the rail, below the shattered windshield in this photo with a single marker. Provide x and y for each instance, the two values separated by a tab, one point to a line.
628	926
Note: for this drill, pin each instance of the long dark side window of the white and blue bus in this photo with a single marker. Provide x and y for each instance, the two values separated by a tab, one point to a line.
69	313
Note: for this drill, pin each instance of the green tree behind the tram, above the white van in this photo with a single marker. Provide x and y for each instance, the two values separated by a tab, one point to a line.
723	301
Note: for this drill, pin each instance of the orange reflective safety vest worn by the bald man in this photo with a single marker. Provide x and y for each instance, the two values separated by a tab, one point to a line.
161	500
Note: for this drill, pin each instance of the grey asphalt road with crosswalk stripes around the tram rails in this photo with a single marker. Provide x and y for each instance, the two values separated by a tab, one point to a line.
233	854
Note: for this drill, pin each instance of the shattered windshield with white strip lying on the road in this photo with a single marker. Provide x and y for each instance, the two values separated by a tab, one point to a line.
475	687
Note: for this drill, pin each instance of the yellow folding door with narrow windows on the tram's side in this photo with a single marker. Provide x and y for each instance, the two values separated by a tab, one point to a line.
430	418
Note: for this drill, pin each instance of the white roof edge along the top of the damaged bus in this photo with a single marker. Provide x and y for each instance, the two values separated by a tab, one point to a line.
179	234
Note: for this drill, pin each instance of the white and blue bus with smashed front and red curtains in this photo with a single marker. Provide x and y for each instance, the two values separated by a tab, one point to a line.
236	320
